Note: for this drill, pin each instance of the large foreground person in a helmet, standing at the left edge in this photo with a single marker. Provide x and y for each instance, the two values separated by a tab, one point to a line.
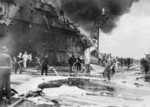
5	72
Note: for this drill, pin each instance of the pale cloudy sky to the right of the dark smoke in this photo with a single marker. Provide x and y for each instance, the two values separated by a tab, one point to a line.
131	37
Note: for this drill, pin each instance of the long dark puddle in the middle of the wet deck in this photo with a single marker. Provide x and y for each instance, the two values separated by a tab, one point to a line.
93	88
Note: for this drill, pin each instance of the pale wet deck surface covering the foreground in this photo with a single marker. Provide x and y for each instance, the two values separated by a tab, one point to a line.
123	90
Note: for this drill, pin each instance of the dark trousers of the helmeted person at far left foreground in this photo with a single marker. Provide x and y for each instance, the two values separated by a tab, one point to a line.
5	82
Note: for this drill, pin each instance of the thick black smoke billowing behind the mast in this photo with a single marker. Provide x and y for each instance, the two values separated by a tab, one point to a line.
83	12
